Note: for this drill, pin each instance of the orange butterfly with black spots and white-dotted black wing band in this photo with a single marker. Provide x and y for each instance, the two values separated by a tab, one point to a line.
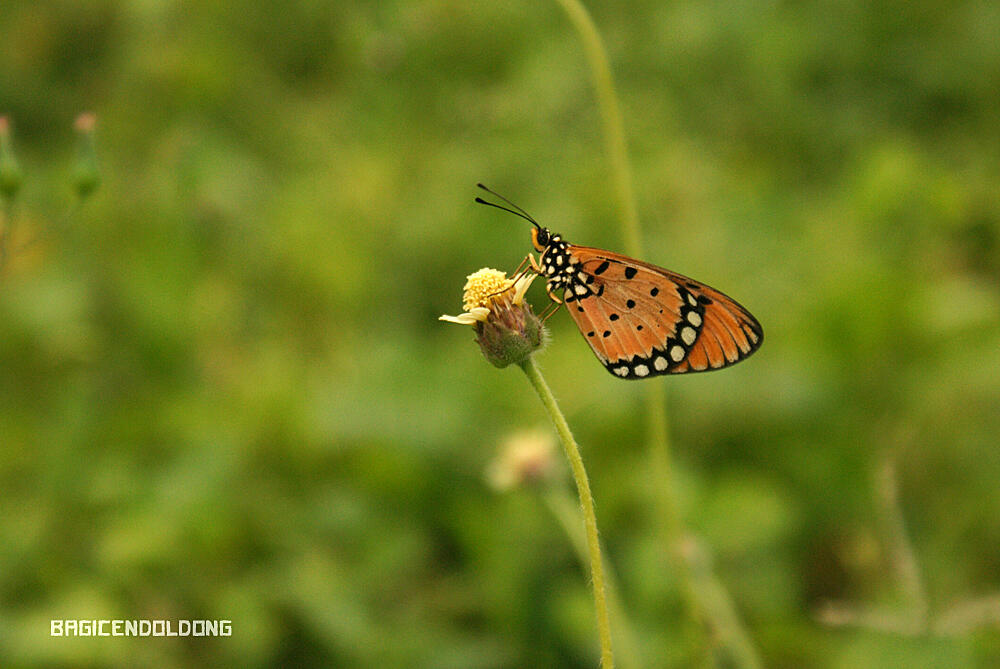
639	319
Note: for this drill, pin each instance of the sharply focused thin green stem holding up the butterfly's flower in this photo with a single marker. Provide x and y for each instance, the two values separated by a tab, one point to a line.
586	505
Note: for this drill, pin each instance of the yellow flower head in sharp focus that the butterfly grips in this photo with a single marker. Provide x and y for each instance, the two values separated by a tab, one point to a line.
507	329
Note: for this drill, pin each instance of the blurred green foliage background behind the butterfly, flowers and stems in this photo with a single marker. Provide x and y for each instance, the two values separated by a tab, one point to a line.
224	392
